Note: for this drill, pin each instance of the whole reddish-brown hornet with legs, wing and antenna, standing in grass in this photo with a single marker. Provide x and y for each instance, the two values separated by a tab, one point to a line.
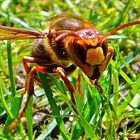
67	43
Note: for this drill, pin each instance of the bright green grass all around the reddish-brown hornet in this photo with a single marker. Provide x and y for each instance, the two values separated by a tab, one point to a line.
112	114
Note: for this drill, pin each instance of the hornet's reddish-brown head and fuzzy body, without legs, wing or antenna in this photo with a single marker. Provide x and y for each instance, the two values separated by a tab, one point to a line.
64	46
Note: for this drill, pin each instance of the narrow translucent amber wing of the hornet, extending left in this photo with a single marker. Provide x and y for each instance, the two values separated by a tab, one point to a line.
9	33
